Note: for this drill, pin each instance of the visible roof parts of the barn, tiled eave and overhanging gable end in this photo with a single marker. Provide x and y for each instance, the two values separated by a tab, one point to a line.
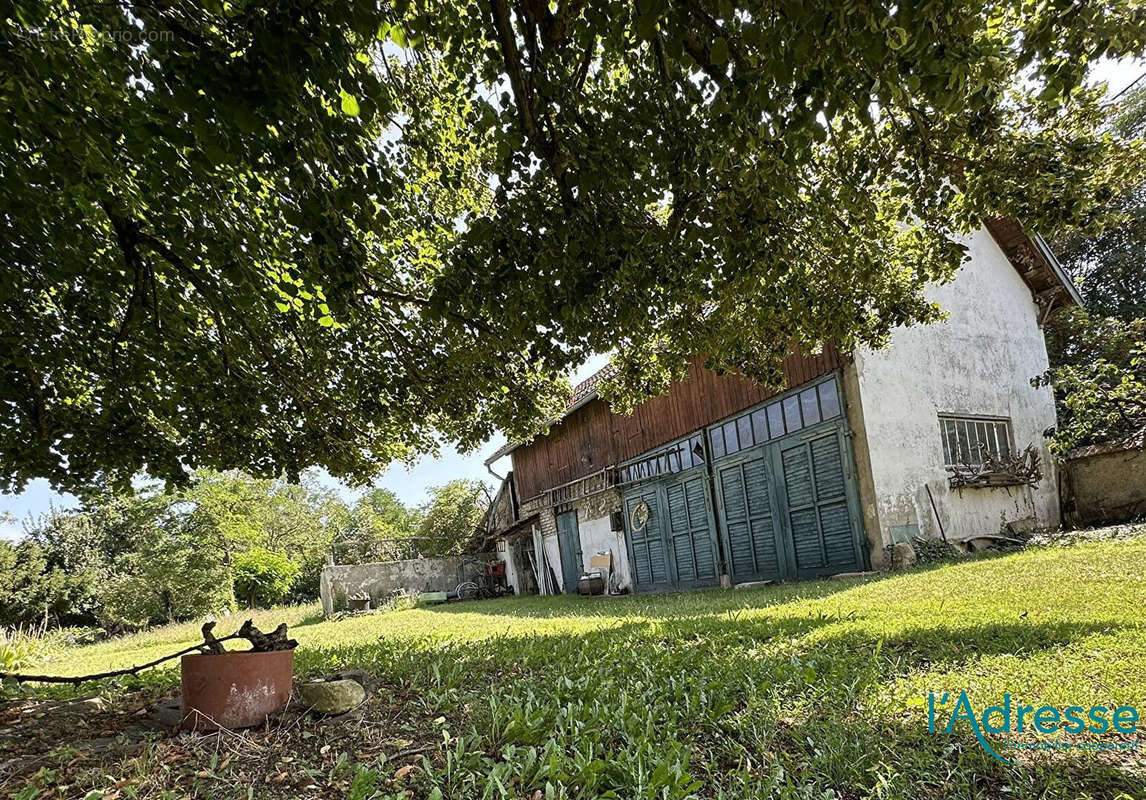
1031	256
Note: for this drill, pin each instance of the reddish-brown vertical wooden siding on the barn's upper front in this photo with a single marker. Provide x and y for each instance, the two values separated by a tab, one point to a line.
592	438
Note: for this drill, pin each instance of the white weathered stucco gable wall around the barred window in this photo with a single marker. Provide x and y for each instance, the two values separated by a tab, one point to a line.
979	363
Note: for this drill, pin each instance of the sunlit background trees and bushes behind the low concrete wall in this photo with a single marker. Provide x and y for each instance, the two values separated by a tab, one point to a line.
128	560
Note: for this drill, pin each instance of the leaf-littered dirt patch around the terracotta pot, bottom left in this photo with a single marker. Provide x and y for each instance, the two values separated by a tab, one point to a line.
130	747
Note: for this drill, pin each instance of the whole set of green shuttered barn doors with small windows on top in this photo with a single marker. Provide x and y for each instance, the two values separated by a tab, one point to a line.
786	504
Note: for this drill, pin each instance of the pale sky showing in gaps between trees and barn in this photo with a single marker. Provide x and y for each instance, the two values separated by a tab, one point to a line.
411	485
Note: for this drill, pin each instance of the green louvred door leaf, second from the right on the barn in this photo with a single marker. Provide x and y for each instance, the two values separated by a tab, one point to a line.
752	550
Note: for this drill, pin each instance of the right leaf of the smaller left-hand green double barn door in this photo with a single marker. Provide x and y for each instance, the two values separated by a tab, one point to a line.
692	538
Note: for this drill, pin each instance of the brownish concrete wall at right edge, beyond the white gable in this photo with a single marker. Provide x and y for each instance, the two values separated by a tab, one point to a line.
1105	485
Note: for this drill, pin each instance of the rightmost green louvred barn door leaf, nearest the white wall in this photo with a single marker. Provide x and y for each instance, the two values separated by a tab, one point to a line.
817	488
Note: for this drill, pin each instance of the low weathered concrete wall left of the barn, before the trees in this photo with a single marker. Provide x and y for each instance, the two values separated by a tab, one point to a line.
382	579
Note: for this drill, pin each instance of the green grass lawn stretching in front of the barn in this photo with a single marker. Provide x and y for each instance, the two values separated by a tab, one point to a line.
806	691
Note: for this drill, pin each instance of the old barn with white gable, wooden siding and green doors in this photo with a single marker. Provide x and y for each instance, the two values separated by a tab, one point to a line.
723	482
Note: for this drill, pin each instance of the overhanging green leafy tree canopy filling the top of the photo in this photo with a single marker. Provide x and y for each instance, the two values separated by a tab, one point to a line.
276	236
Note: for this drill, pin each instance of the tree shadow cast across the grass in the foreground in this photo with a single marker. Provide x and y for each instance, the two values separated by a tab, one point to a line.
751	699
